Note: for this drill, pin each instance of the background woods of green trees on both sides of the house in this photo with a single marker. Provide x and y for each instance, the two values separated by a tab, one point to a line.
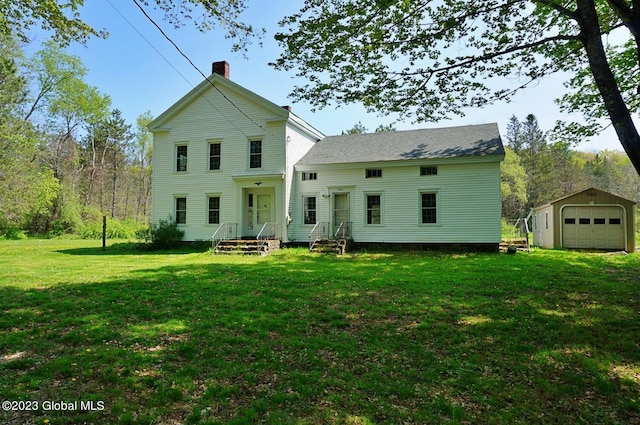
68	157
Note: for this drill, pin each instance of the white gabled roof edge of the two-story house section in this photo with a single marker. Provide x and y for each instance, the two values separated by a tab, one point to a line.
221	82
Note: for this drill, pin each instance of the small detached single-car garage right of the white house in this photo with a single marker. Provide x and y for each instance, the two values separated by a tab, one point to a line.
591	219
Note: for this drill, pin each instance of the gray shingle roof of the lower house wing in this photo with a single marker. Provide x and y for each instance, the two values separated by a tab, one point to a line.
448	142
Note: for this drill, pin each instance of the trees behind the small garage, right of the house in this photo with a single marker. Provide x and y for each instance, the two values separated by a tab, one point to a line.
537	170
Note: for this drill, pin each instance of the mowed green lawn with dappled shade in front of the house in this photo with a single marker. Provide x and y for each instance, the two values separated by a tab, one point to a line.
299	338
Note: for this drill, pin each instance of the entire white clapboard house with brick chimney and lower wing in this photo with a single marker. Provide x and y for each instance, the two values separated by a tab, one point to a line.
223	154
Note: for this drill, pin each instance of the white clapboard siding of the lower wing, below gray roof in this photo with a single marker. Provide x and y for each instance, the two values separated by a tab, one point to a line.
468	196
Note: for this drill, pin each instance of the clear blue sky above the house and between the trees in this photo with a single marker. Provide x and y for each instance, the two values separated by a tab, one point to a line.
142	71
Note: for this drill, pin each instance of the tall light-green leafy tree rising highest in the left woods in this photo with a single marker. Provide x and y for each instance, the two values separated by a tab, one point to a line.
64	105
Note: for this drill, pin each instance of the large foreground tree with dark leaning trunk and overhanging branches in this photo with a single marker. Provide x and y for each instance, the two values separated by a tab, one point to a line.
404	57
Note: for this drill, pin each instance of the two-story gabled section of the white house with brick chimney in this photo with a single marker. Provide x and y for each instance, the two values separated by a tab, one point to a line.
223	154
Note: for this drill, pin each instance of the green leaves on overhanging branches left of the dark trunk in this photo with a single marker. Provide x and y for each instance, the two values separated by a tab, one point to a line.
419	59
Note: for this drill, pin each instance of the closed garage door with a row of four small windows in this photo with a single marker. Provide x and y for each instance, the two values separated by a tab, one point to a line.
597	227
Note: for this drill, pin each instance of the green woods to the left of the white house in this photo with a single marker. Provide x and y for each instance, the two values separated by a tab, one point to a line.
67	157
